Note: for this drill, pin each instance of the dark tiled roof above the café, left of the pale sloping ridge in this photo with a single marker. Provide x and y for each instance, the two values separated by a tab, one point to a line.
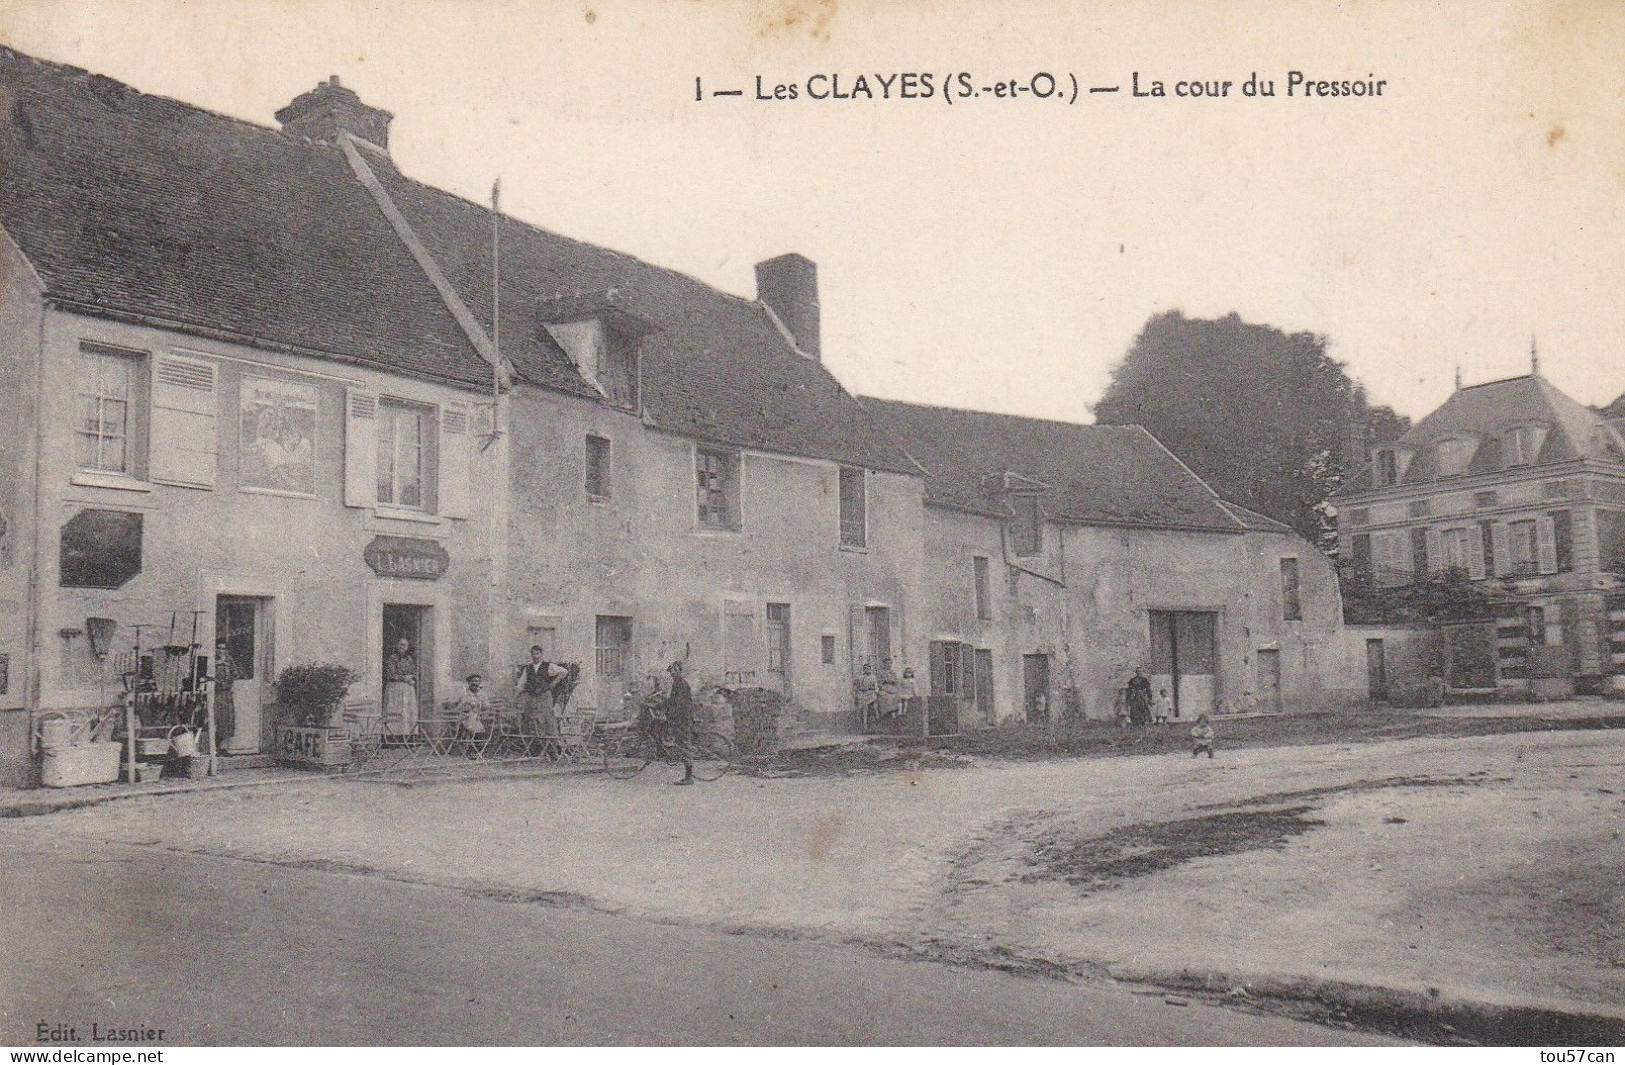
144	207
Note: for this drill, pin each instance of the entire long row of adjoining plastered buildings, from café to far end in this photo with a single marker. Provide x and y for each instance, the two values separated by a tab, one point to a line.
258	385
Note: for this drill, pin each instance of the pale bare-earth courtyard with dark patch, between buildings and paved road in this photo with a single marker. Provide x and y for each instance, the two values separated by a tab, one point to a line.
1473	871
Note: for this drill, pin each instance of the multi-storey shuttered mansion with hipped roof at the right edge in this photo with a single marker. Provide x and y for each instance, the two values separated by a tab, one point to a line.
1519	492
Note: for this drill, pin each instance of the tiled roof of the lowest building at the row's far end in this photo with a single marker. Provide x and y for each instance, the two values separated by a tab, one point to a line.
1098	476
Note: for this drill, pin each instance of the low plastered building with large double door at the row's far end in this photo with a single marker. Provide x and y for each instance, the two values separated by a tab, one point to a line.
1065	557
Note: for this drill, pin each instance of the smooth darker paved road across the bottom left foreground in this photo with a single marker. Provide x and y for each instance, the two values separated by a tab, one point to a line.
228	952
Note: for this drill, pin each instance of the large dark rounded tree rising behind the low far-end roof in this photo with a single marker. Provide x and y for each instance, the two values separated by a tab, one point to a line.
1265	417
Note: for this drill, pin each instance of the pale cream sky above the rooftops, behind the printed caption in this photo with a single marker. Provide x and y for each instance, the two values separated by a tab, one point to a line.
1002	253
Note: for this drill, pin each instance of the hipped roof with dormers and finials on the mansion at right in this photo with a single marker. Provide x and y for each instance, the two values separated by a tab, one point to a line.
1486	412
